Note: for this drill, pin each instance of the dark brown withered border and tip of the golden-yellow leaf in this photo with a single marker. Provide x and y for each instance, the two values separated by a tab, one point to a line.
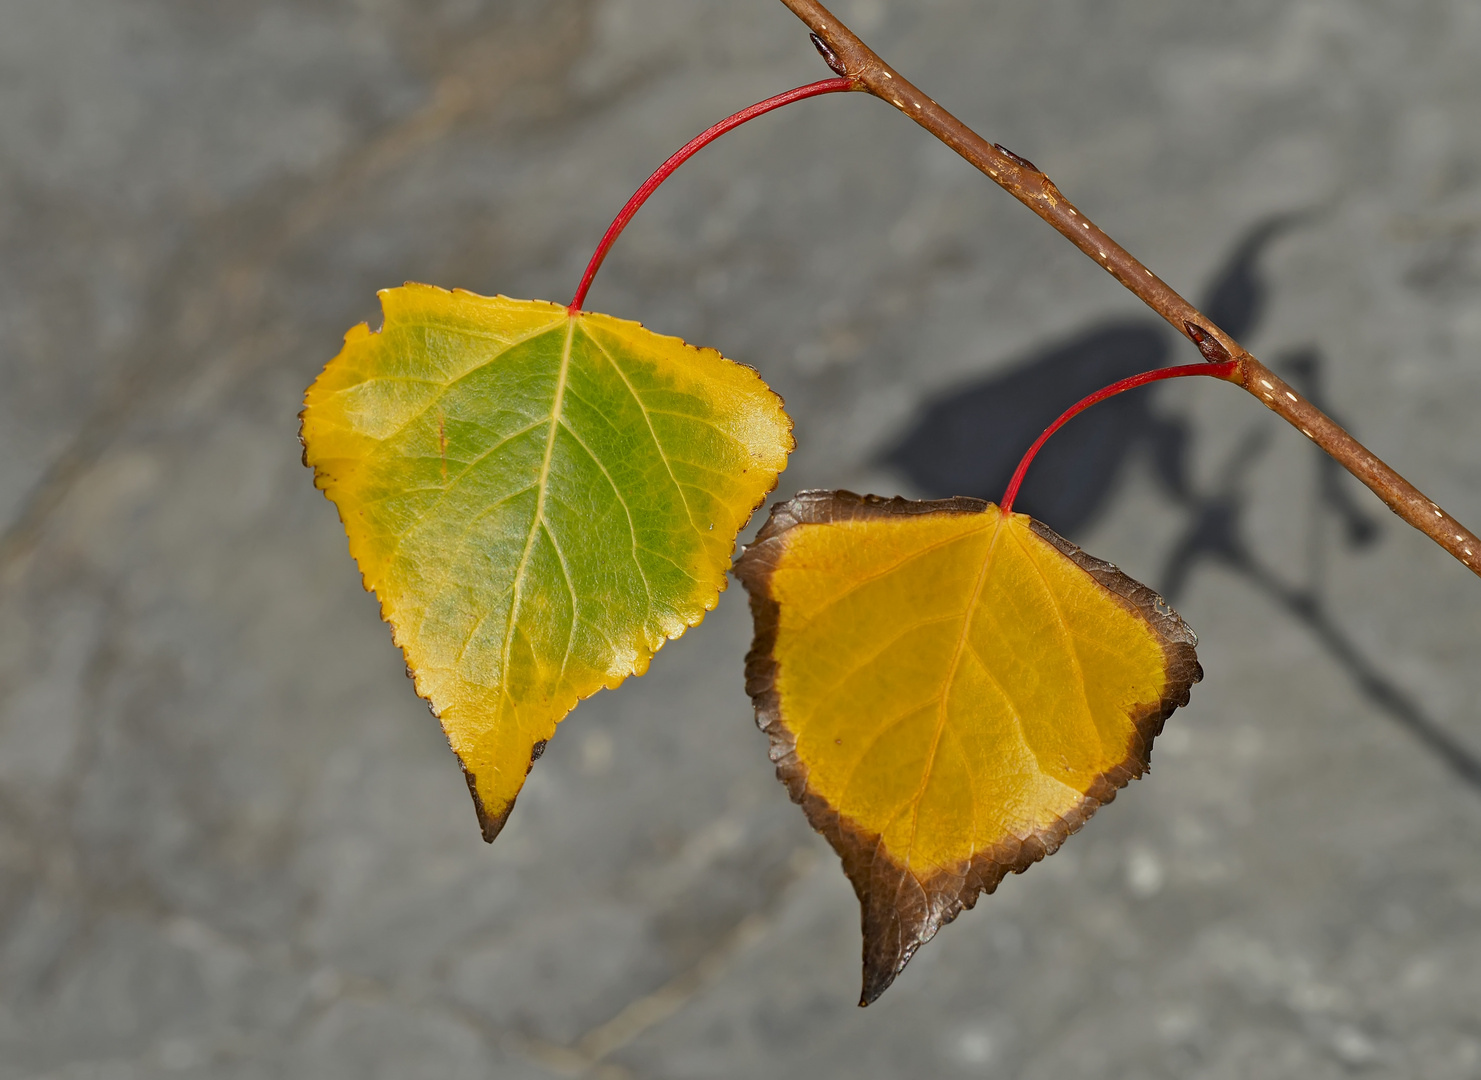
900	910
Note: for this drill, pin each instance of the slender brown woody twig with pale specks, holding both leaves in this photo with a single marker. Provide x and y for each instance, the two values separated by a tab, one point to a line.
851	57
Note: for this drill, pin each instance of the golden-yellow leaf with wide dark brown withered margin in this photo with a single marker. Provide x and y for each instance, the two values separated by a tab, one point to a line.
949	694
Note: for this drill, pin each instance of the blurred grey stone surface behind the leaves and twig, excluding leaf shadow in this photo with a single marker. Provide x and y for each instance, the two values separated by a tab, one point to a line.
233	844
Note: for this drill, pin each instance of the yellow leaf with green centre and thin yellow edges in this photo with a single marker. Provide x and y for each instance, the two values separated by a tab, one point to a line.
540	499
